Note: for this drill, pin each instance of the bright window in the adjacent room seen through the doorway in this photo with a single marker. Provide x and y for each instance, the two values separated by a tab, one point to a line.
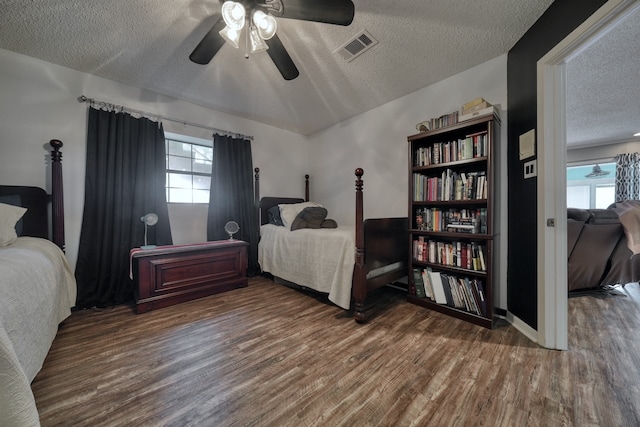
589	190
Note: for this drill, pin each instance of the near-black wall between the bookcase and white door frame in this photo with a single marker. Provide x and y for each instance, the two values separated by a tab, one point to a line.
562	17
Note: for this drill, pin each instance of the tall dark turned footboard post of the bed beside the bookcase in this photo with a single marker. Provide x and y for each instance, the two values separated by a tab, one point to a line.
359	278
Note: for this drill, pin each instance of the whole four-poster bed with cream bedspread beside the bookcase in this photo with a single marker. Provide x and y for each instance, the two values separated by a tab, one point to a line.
346	262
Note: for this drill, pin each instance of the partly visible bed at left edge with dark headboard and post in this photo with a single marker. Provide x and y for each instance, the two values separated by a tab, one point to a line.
37	291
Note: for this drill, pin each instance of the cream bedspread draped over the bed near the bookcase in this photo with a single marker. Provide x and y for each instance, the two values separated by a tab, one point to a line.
319	259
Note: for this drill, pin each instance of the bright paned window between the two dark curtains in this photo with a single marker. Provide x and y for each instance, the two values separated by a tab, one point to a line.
188	167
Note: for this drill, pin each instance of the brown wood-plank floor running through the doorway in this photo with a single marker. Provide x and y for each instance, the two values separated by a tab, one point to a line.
268	355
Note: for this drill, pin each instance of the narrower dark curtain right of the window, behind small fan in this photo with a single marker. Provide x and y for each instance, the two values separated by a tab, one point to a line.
232	196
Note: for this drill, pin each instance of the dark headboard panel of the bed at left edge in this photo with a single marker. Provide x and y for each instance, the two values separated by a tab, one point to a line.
35	222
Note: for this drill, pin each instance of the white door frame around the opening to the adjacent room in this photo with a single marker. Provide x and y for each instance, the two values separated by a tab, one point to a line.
552	179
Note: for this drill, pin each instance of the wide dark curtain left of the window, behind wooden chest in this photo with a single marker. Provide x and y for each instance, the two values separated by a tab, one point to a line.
125	179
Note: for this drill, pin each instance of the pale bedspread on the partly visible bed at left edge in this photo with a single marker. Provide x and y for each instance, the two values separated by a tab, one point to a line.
37	291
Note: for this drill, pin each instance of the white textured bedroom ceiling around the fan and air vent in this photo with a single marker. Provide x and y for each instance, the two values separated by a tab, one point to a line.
146	43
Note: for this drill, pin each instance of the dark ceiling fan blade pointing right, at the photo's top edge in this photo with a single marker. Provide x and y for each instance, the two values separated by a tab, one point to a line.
337	12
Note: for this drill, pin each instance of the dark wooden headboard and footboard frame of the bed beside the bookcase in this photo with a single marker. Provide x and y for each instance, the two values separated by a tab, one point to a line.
379	242
